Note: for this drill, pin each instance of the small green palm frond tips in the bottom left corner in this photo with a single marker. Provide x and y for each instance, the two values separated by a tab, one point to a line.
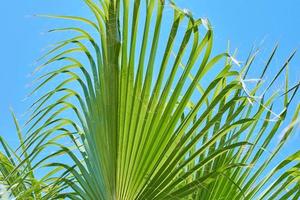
18	172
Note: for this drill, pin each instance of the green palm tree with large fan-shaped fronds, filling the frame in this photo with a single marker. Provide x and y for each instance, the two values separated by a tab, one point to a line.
135	114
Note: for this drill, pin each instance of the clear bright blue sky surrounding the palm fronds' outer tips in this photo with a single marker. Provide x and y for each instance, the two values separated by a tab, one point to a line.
245	23
